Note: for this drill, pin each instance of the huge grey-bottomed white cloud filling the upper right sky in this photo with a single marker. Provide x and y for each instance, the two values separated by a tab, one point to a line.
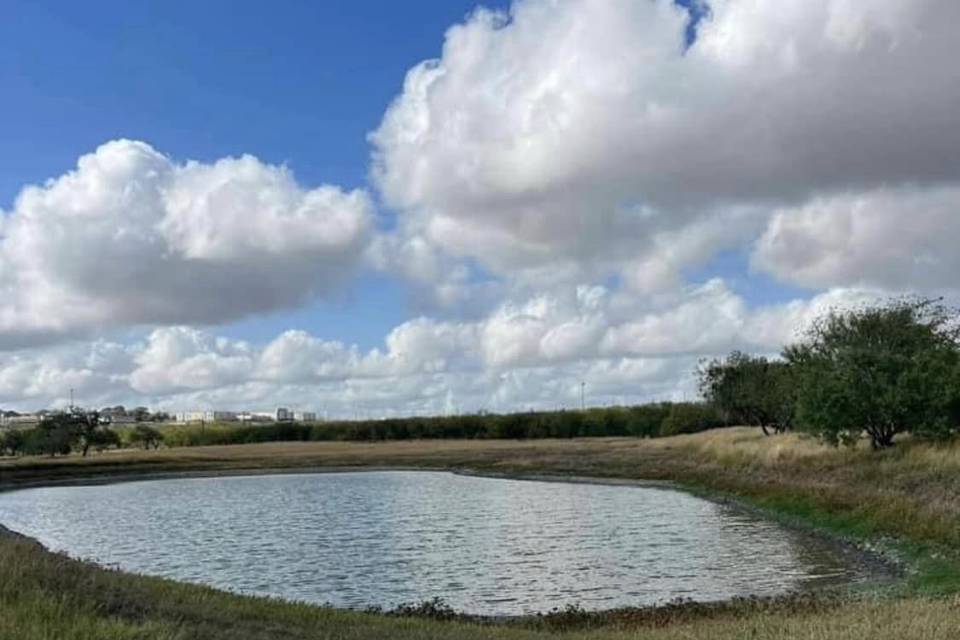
569	139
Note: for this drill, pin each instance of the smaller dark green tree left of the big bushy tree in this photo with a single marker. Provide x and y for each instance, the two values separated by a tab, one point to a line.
750	390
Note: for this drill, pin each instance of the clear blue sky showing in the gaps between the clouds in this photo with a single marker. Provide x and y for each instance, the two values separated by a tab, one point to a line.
295	83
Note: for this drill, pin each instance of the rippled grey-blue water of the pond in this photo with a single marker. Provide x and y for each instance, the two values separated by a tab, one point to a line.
486	546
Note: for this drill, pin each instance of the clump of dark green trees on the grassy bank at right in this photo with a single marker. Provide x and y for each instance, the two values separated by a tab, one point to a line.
881	371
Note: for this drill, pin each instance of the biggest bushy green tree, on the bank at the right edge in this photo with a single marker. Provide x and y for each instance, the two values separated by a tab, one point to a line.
885	370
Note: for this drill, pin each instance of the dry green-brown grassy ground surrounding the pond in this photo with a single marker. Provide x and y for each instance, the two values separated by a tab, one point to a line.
911	493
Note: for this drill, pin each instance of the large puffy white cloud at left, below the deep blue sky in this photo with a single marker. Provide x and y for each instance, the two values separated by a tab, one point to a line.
131	237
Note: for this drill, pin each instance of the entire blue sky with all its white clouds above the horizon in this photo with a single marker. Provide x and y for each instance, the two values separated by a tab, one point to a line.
372	209
